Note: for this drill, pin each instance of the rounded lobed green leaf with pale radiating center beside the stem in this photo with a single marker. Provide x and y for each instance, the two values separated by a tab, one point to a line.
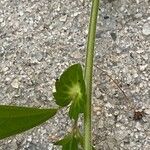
70	89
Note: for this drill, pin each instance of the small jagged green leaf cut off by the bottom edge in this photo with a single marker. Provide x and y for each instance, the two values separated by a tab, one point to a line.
68	143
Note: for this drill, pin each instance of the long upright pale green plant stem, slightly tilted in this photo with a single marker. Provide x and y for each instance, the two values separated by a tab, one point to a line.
88	74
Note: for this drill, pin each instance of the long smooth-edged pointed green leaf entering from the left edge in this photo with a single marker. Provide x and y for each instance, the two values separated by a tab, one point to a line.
14	119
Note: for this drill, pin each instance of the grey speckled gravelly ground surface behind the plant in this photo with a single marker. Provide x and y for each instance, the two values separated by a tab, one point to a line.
40	38
